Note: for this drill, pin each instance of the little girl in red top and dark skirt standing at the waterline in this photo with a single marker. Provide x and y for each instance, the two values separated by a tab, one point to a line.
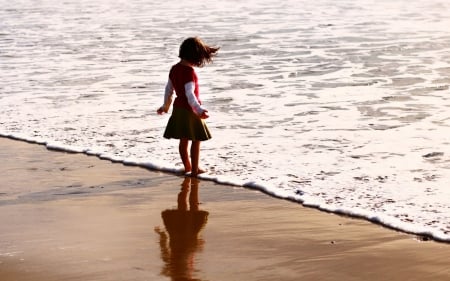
187	119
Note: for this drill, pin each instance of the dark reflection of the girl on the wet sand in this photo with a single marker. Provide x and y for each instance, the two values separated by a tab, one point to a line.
183	226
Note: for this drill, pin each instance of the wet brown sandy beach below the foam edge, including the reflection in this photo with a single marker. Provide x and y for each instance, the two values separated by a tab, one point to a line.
75	217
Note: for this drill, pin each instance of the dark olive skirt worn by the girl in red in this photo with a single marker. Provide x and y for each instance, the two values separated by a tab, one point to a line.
186	124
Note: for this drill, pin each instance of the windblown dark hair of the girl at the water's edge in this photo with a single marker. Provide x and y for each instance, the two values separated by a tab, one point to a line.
196	52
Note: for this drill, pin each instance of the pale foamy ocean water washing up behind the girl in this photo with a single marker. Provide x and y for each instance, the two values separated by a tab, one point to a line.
340	105
